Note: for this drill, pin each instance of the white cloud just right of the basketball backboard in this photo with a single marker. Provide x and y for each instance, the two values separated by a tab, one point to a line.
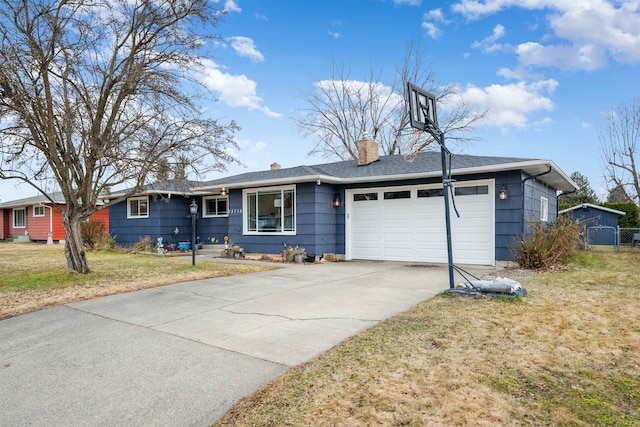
511	105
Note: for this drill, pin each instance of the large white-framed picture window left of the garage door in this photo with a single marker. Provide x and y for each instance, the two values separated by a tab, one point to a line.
270	210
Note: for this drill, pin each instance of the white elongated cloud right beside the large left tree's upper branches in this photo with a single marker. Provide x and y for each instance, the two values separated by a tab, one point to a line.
234	90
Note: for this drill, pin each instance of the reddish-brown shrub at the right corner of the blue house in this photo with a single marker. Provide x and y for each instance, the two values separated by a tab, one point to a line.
547	245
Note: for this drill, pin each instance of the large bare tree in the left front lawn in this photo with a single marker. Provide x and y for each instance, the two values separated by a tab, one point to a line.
96	93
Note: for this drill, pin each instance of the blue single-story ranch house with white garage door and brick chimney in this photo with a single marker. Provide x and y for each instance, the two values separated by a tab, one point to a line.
372	208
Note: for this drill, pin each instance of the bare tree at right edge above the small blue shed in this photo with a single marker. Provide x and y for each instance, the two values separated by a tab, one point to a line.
619	143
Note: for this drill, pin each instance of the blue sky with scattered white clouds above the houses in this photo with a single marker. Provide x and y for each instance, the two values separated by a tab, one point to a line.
547	70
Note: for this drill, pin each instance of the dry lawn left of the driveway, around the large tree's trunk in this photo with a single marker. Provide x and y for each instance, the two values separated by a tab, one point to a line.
34	276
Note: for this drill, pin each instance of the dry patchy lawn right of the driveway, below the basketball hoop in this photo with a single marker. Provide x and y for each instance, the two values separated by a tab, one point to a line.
565	355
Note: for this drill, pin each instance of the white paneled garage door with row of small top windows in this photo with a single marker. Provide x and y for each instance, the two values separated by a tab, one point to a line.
408	224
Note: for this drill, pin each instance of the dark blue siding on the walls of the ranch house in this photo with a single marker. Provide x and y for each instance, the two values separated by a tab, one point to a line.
320	227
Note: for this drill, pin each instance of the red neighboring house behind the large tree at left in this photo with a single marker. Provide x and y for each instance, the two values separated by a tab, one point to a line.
33	218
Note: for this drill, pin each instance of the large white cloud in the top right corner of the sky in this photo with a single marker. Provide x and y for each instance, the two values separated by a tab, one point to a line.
589	32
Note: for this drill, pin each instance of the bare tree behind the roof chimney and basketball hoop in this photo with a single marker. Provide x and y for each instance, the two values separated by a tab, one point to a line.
341	109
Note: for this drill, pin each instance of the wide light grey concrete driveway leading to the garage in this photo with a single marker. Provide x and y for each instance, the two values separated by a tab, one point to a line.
182	355
